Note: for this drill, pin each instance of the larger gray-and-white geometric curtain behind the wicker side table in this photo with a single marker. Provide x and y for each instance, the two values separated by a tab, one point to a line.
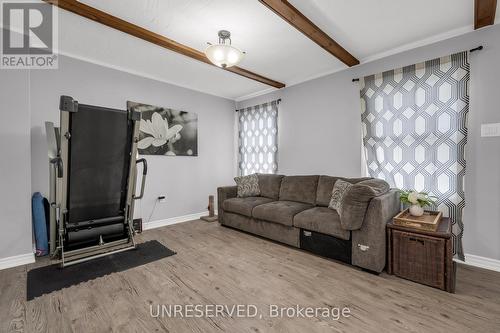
414	123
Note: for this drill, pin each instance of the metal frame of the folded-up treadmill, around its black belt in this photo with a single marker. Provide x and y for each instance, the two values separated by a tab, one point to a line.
60	205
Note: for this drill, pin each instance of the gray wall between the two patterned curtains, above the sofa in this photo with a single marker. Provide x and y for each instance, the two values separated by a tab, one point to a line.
317	130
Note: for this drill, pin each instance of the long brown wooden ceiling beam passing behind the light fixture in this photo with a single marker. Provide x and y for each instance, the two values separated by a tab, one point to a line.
149	36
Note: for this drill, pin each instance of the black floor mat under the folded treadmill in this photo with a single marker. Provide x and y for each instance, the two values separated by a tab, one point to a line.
44	280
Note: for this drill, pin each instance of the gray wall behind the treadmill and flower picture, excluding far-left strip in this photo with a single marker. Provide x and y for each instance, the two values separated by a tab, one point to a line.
187	181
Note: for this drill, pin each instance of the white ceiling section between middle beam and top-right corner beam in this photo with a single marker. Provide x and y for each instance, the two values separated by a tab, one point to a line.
369	28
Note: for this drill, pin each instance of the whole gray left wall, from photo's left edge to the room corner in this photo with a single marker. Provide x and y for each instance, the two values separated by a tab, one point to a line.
29	98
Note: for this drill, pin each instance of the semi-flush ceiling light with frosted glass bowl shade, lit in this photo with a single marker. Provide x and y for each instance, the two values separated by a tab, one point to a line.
224	54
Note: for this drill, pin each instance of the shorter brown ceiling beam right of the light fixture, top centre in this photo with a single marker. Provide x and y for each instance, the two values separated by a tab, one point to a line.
299	21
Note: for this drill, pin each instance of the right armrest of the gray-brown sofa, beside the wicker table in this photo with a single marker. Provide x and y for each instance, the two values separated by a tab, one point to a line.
369	242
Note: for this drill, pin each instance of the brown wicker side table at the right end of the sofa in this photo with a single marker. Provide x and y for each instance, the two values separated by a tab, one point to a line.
422	256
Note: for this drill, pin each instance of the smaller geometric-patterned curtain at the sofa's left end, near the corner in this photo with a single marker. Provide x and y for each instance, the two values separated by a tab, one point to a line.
258	139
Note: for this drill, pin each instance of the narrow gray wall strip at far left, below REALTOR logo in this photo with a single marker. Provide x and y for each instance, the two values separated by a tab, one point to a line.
15	194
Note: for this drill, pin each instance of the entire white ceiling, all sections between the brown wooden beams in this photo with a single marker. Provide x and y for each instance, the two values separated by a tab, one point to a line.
366	28
